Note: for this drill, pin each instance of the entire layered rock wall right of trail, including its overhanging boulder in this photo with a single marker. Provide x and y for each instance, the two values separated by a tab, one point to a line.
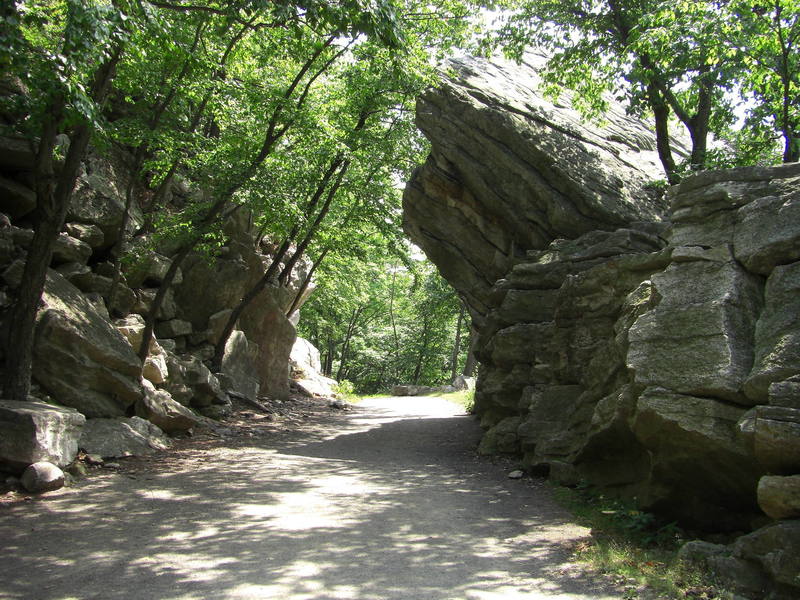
648	345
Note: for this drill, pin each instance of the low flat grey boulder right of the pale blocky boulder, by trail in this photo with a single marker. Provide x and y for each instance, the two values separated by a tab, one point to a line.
116	438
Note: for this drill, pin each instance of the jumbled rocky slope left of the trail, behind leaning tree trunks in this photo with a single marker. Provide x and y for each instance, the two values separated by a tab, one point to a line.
85	349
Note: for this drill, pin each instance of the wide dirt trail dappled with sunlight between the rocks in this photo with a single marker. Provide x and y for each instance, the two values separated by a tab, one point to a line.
386	501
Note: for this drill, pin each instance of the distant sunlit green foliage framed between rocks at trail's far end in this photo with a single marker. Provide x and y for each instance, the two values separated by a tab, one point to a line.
378	323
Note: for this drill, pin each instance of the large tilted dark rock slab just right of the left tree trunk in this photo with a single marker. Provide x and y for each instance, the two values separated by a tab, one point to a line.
79	357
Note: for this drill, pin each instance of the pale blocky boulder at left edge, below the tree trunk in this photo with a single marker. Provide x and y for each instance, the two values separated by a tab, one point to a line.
33	431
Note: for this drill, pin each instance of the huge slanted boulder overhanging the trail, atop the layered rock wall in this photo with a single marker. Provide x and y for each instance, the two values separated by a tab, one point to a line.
509	171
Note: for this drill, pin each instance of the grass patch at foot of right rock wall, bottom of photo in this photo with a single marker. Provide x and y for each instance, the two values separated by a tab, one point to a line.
635	548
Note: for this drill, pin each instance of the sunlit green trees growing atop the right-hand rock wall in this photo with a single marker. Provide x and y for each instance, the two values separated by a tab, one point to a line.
688	64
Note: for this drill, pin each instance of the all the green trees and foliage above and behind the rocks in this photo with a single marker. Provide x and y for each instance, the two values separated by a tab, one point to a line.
302	112
